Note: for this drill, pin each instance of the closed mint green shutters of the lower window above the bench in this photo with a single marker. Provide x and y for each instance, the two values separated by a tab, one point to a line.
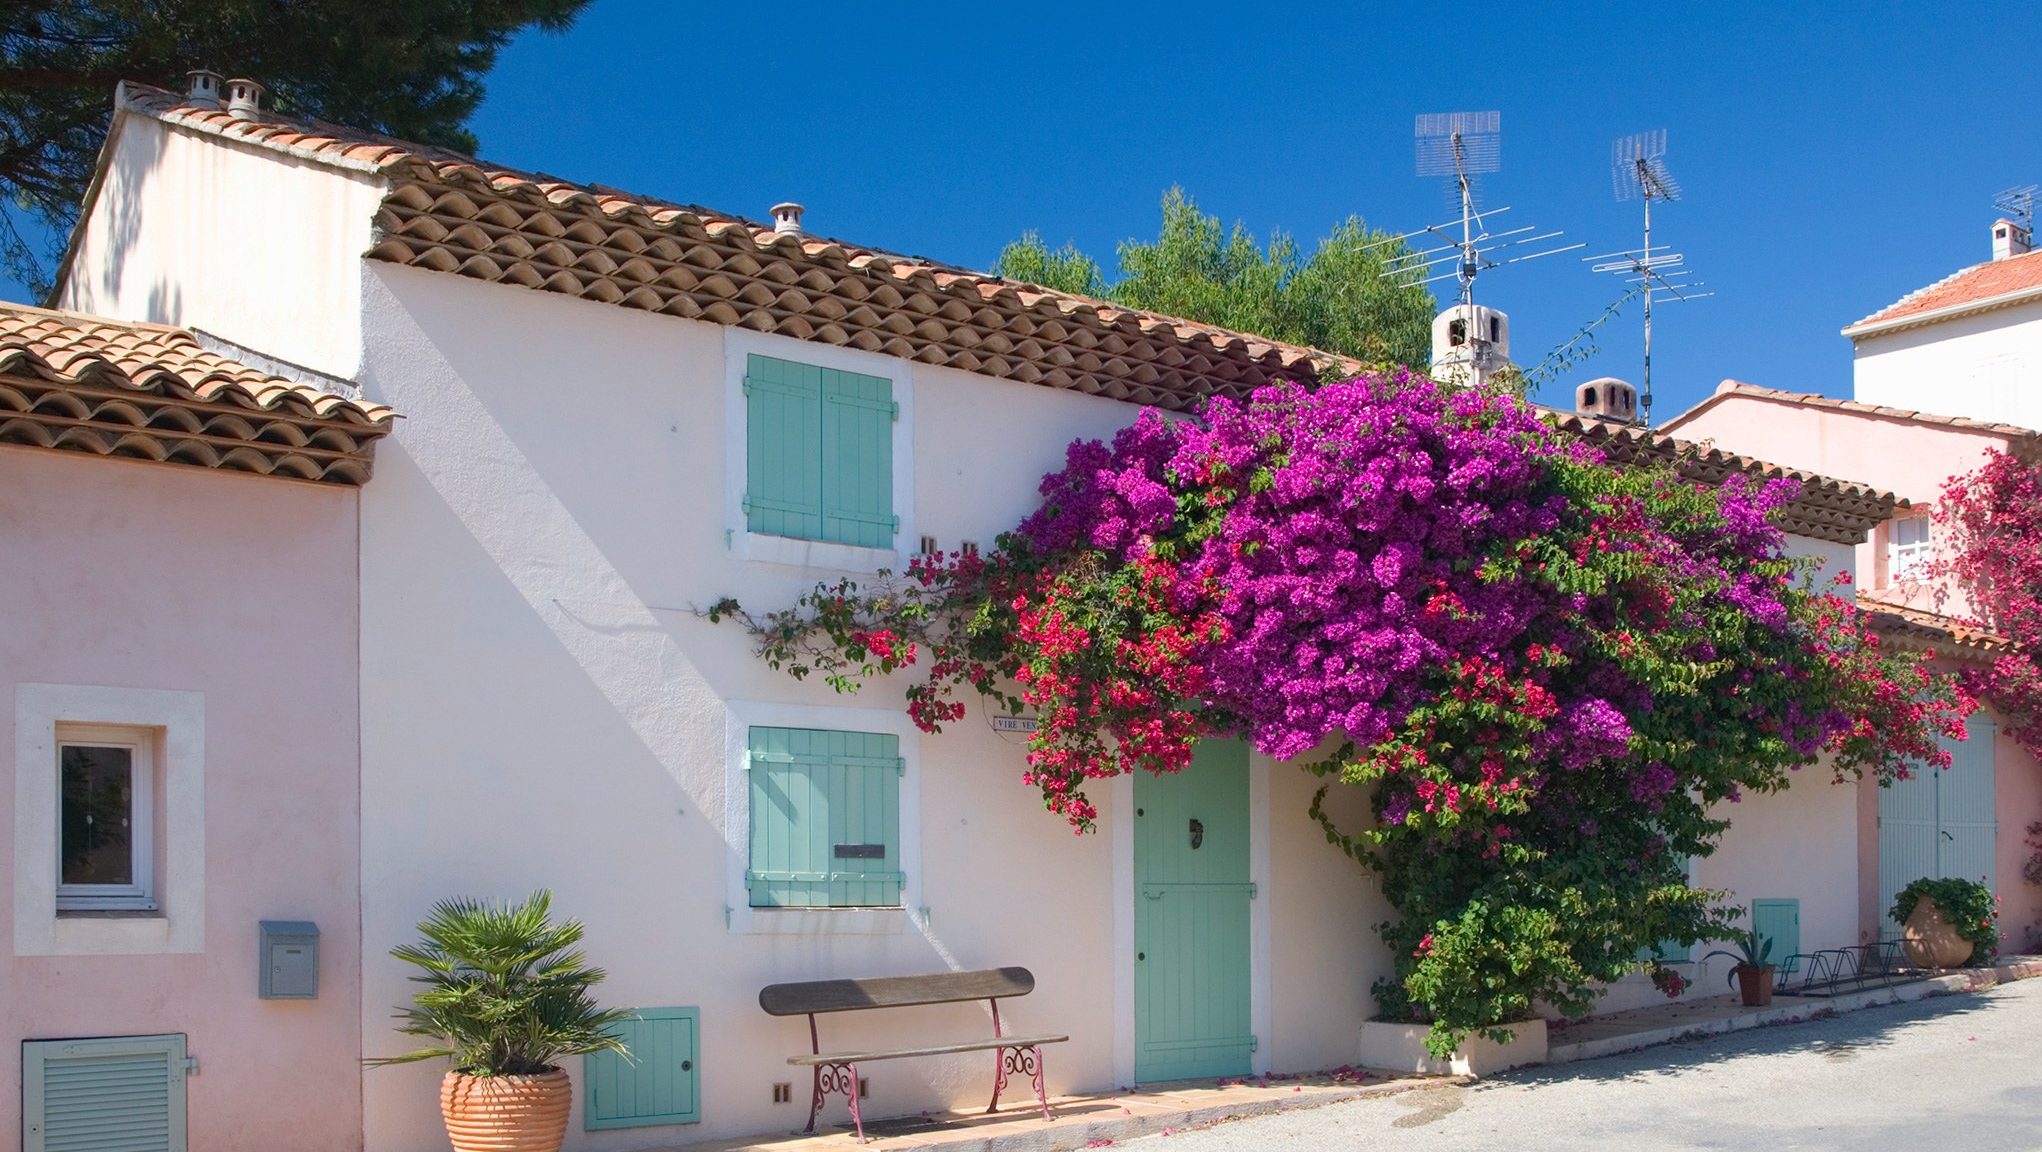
826	818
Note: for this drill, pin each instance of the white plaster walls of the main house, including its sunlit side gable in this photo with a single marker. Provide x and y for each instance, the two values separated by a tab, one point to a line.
542	708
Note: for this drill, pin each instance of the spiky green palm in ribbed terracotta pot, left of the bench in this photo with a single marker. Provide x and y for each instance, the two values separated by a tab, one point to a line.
505	994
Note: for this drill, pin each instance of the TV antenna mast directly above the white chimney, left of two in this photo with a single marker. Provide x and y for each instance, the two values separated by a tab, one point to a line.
1463	146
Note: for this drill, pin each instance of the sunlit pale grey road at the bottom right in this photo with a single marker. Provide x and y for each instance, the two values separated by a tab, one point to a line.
1949	1073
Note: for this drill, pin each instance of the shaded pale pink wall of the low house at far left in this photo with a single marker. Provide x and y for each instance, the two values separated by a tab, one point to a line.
240	587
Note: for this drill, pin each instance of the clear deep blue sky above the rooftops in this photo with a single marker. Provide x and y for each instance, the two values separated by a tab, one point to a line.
1833	156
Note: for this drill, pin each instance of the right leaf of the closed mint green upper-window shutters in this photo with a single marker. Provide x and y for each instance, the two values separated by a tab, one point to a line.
859	416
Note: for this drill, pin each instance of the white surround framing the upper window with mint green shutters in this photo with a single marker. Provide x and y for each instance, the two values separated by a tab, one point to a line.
746	544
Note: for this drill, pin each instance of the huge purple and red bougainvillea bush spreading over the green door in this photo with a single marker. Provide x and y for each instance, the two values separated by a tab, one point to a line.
1545	671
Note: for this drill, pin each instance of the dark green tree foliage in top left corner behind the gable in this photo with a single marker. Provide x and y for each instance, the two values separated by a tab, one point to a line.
409	68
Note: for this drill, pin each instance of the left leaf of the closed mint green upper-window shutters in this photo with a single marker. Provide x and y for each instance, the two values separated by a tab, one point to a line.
783	448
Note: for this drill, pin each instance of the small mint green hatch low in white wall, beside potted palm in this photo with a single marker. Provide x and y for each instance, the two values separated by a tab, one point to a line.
659	1084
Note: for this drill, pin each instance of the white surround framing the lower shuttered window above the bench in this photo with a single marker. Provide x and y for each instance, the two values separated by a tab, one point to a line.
746	920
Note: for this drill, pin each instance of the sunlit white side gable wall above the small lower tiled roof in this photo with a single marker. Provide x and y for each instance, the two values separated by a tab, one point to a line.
222	236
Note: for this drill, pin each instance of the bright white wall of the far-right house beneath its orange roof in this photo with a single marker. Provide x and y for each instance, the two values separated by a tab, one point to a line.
1974	367
